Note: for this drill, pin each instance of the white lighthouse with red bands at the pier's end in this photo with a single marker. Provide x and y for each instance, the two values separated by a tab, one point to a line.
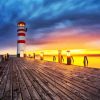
21	33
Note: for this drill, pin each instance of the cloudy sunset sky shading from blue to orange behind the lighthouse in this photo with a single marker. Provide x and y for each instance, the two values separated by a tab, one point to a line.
52	24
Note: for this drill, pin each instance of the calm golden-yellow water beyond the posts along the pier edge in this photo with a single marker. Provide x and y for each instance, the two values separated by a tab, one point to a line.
93	61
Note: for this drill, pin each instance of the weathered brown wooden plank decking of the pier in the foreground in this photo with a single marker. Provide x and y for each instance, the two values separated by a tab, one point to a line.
25	79
